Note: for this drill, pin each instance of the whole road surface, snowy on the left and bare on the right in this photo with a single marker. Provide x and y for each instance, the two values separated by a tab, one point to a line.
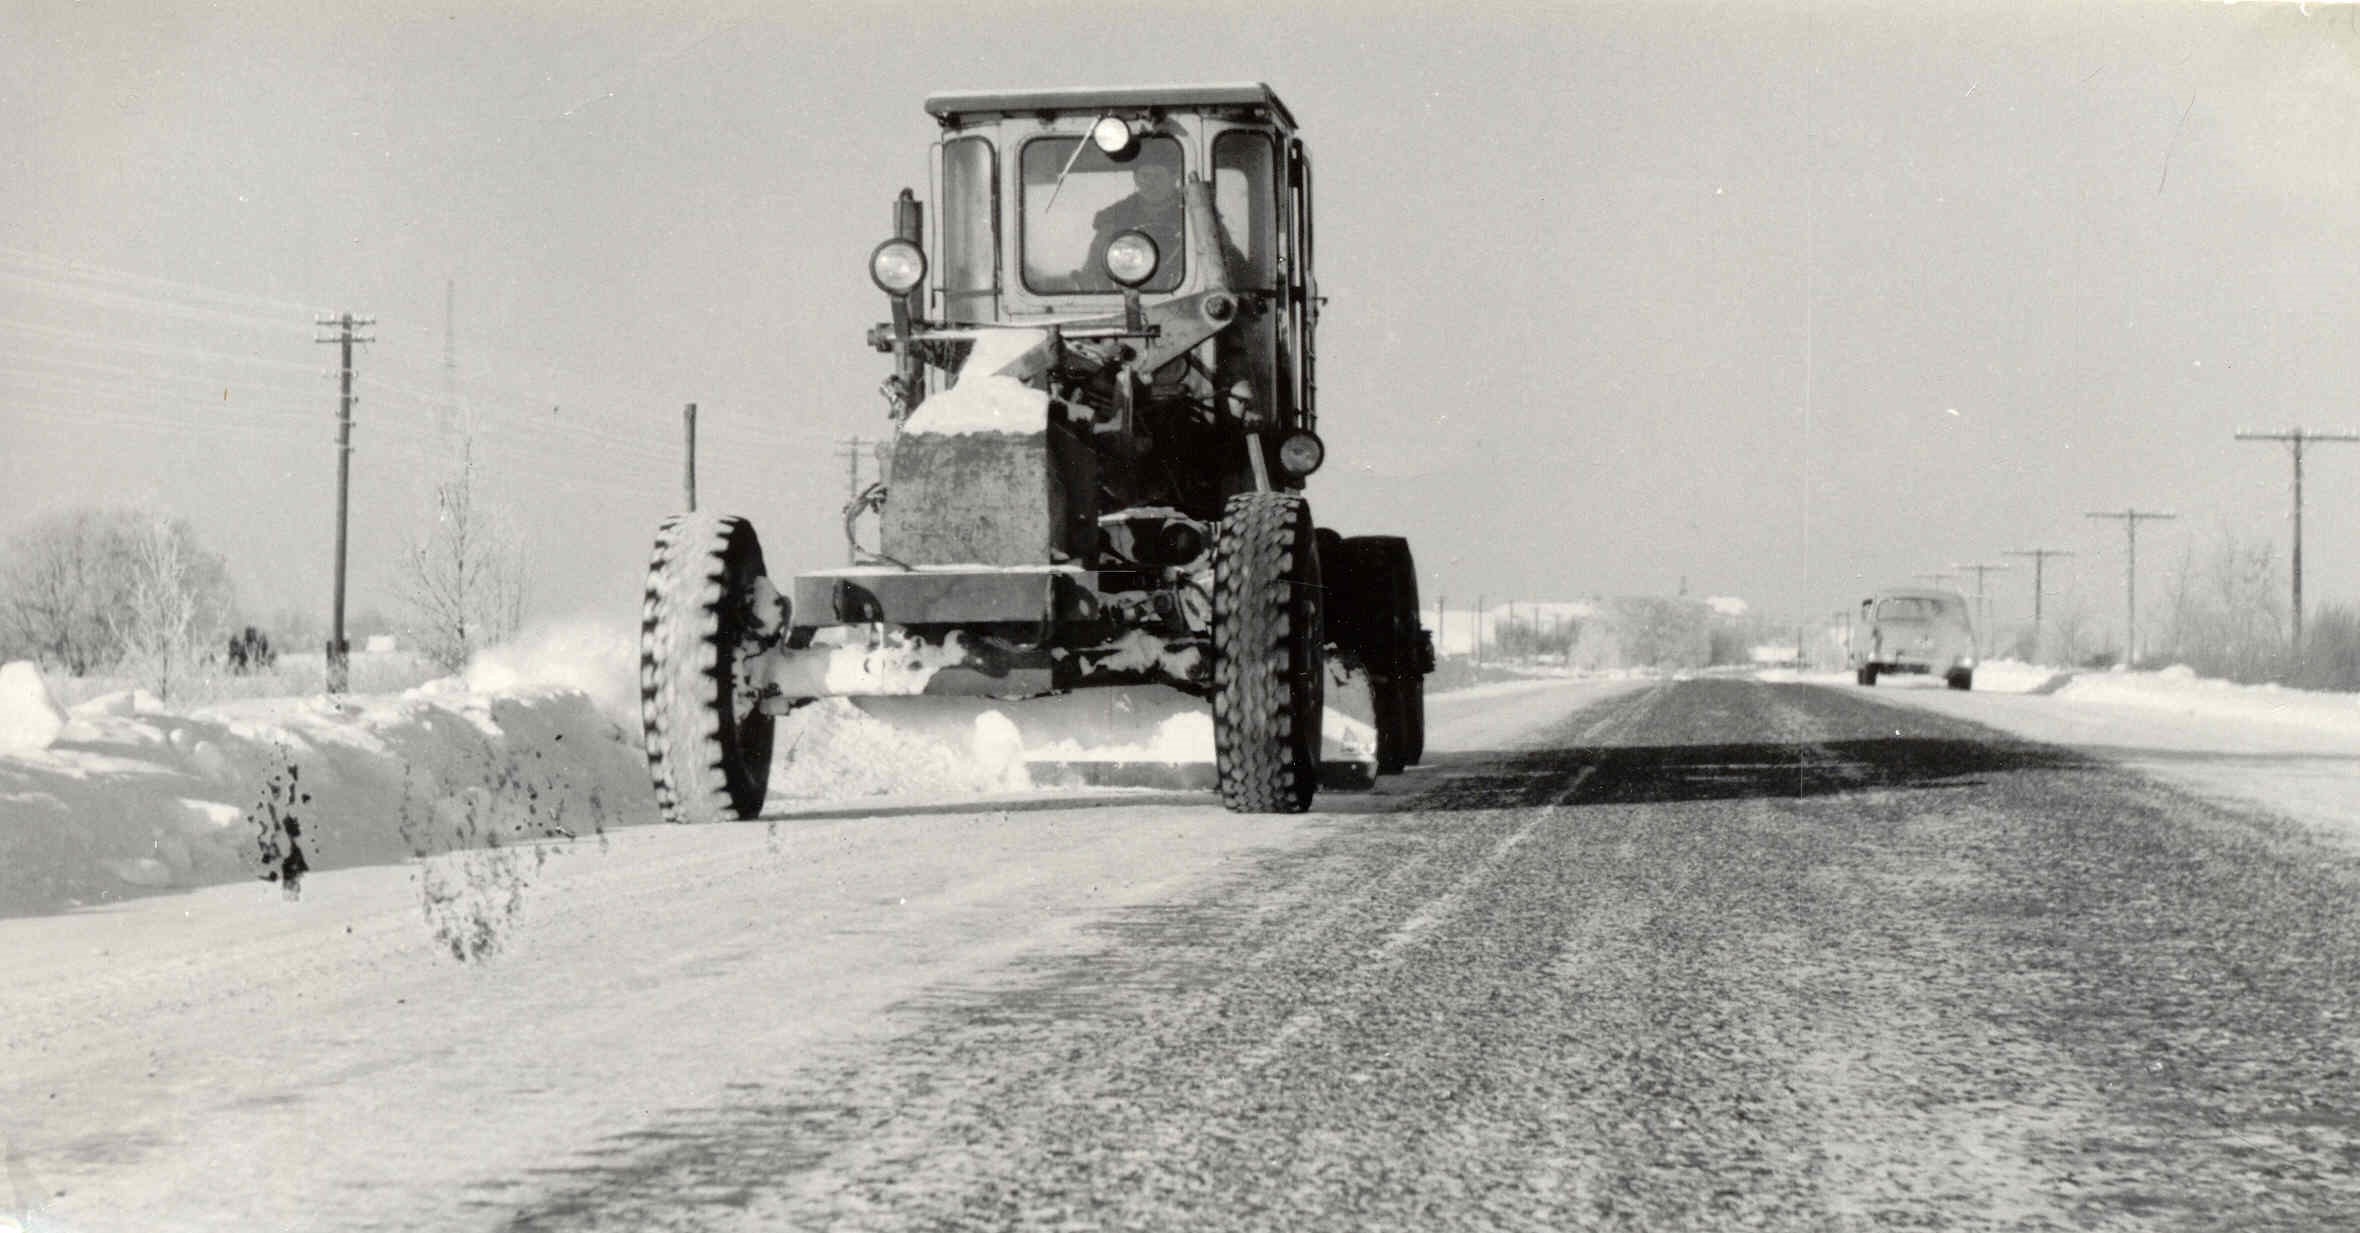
1679	955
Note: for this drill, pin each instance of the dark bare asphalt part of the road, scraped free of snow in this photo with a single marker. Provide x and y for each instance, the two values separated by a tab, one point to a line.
1722	958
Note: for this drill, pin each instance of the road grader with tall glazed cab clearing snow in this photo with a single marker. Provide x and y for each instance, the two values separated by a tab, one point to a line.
1103	424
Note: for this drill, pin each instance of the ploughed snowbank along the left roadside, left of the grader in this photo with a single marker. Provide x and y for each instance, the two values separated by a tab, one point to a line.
138	800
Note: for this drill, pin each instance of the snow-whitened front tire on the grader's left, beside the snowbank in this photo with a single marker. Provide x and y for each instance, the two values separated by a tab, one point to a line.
707	743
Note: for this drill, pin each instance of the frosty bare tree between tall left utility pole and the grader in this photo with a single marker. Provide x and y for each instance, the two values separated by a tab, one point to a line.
464	582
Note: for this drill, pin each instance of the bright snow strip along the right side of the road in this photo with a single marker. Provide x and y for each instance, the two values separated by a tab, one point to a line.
2286	752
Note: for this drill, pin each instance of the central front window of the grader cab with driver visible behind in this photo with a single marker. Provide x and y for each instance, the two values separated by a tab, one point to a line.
1075	202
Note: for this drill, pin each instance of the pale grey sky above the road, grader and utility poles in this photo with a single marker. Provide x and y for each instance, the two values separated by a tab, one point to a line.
1778	301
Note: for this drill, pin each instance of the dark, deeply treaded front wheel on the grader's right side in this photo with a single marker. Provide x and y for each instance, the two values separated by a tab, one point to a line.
1268	655
